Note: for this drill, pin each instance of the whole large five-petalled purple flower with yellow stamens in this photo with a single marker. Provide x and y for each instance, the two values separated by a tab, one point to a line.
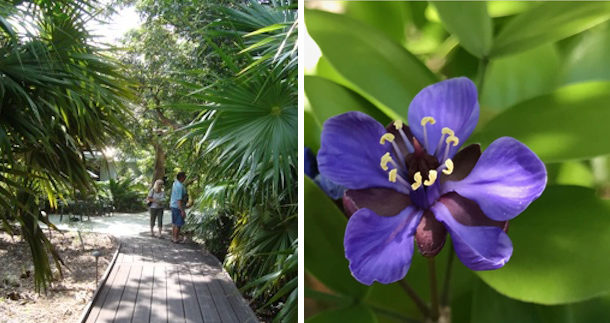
412	183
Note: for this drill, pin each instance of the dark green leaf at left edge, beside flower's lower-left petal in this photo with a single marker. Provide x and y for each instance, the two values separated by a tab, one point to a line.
324	254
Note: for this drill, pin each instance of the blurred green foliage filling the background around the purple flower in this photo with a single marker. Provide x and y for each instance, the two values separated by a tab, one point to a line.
543	74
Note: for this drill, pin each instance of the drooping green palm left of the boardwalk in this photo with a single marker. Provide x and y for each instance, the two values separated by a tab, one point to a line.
59	96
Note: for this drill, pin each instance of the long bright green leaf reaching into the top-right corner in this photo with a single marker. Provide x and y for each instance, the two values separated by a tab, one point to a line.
548	22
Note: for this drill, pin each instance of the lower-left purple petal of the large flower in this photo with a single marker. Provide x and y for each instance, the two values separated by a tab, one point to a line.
380	248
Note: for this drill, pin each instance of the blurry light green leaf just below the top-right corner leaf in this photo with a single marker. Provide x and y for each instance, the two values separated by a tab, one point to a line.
513	79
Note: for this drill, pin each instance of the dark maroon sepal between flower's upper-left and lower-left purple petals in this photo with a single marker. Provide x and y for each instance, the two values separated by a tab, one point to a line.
382	201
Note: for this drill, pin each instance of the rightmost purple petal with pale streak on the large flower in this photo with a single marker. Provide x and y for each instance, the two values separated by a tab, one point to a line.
505	180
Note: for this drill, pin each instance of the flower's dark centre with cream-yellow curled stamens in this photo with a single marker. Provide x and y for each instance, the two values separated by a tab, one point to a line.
416	168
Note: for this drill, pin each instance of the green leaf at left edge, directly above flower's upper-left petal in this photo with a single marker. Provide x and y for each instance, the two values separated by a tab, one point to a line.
328	99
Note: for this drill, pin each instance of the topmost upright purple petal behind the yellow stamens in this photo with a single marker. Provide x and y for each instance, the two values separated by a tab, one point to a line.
452	103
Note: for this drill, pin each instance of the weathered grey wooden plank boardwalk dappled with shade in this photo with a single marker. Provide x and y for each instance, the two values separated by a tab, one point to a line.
154	280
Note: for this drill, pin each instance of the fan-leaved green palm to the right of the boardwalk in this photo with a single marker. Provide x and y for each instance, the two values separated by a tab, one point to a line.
246	135
